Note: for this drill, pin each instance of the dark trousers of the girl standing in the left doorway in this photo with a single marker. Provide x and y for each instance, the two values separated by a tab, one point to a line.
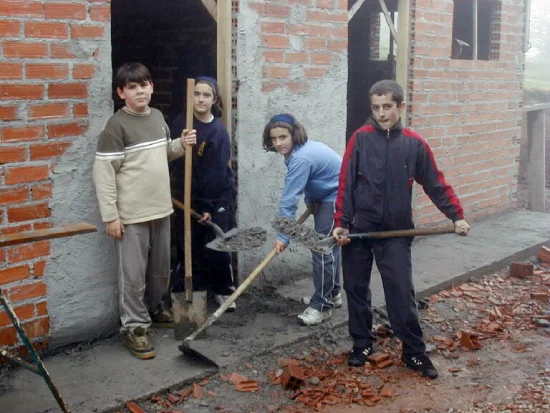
211	269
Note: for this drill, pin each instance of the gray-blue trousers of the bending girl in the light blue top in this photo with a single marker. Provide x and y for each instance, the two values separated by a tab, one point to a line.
326	268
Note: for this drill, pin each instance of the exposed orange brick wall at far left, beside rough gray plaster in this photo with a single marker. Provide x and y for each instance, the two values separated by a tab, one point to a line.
44	82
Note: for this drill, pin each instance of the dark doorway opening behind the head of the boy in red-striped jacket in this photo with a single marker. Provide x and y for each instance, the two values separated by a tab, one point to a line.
371	57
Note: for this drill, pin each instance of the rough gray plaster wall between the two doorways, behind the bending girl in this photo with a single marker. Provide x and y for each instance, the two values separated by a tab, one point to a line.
322	110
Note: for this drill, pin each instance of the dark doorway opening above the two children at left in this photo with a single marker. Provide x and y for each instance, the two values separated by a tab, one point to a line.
175	39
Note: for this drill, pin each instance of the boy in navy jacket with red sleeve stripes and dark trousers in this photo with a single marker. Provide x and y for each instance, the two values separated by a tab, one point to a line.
381	162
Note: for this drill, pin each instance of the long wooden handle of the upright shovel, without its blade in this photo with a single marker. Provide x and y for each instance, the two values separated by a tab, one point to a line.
187	194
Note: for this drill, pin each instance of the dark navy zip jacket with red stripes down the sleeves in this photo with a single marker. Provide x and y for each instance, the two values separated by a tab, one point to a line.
376	179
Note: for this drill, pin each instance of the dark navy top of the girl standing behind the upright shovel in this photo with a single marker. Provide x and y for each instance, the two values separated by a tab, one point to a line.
212	179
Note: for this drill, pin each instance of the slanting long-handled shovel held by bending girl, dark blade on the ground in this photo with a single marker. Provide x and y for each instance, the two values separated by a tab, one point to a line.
186	346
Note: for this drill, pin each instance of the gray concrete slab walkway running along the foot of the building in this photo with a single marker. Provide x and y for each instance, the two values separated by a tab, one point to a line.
102	376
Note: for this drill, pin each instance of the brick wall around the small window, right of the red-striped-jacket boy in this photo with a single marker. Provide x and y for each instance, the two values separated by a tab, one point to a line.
469	111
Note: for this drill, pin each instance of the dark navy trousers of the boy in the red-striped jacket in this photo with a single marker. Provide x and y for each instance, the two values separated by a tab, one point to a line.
393	259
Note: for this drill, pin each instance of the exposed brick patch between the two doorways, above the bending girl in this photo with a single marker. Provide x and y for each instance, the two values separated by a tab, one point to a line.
295	53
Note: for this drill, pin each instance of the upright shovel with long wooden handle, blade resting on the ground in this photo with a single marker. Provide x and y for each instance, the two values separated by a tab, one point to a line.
189	308
